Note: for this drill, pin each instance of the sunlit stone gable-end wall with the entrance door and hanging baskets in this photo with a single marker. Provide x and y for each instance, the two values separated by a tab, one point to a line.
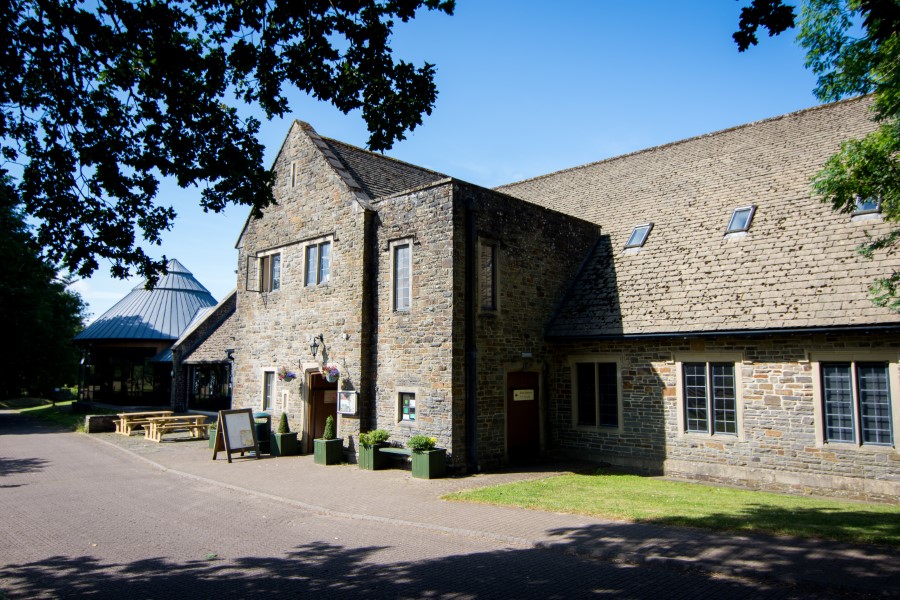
314	204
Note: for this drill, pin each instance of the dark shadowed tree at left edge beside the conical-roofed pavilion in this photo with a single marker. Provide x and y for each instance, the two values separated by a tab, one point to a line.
39	315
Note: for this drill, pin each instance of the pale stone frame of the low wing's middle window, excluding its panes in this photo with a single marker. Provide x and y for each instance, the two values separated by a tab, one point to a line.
708	358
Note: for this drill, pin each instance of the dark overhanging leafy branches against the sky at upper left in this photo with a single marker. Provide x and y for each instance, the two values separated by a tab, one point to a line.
100	99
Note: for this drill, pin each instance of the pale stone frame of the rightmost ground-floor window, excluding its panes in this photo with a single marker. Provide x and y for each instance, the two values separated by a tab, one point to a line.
853	357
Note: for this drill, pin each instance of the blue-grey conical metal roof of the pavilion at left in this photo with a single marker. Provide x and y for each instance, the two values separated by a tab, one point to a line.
162	313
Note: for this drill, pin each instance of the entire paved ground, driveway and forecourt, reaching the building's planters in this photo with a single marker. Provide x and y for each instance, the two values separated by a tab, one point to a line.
80	518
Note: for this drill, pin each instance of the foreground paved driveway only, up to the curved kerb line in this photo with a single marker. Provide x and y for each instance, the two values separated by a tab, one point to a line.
79	519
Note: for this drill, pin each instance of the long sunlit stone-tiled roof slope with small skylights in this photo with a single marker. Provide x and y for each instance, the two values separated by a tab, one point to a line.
795	268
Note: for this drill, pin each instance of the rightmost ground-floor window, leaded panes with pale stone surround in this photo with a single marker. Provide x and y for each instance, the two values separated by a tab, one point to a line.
855	399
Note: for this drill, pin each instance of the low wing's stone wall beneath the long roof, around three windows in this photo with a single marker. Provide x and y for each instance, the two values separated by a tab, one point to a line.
779	444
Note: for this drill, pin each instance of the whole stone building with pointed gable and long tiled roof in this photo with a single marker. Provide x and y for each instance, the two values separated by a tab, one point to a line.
688	309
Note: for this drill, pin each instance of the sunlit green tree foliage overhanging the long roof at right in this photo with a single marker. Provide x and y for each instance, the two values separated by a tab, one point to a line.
853	46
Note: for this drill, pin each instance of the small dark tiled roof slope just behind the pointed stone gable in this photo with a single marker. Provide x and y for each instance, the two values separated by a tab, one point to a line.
380	175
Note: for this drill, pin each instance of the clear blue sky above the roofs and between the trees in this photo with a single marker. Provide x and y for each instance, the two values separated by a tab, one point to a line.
526	88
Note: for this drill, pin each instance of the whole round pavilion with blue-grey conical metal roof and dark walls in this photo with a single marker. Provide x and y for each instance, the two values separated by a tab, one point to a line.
128	357
